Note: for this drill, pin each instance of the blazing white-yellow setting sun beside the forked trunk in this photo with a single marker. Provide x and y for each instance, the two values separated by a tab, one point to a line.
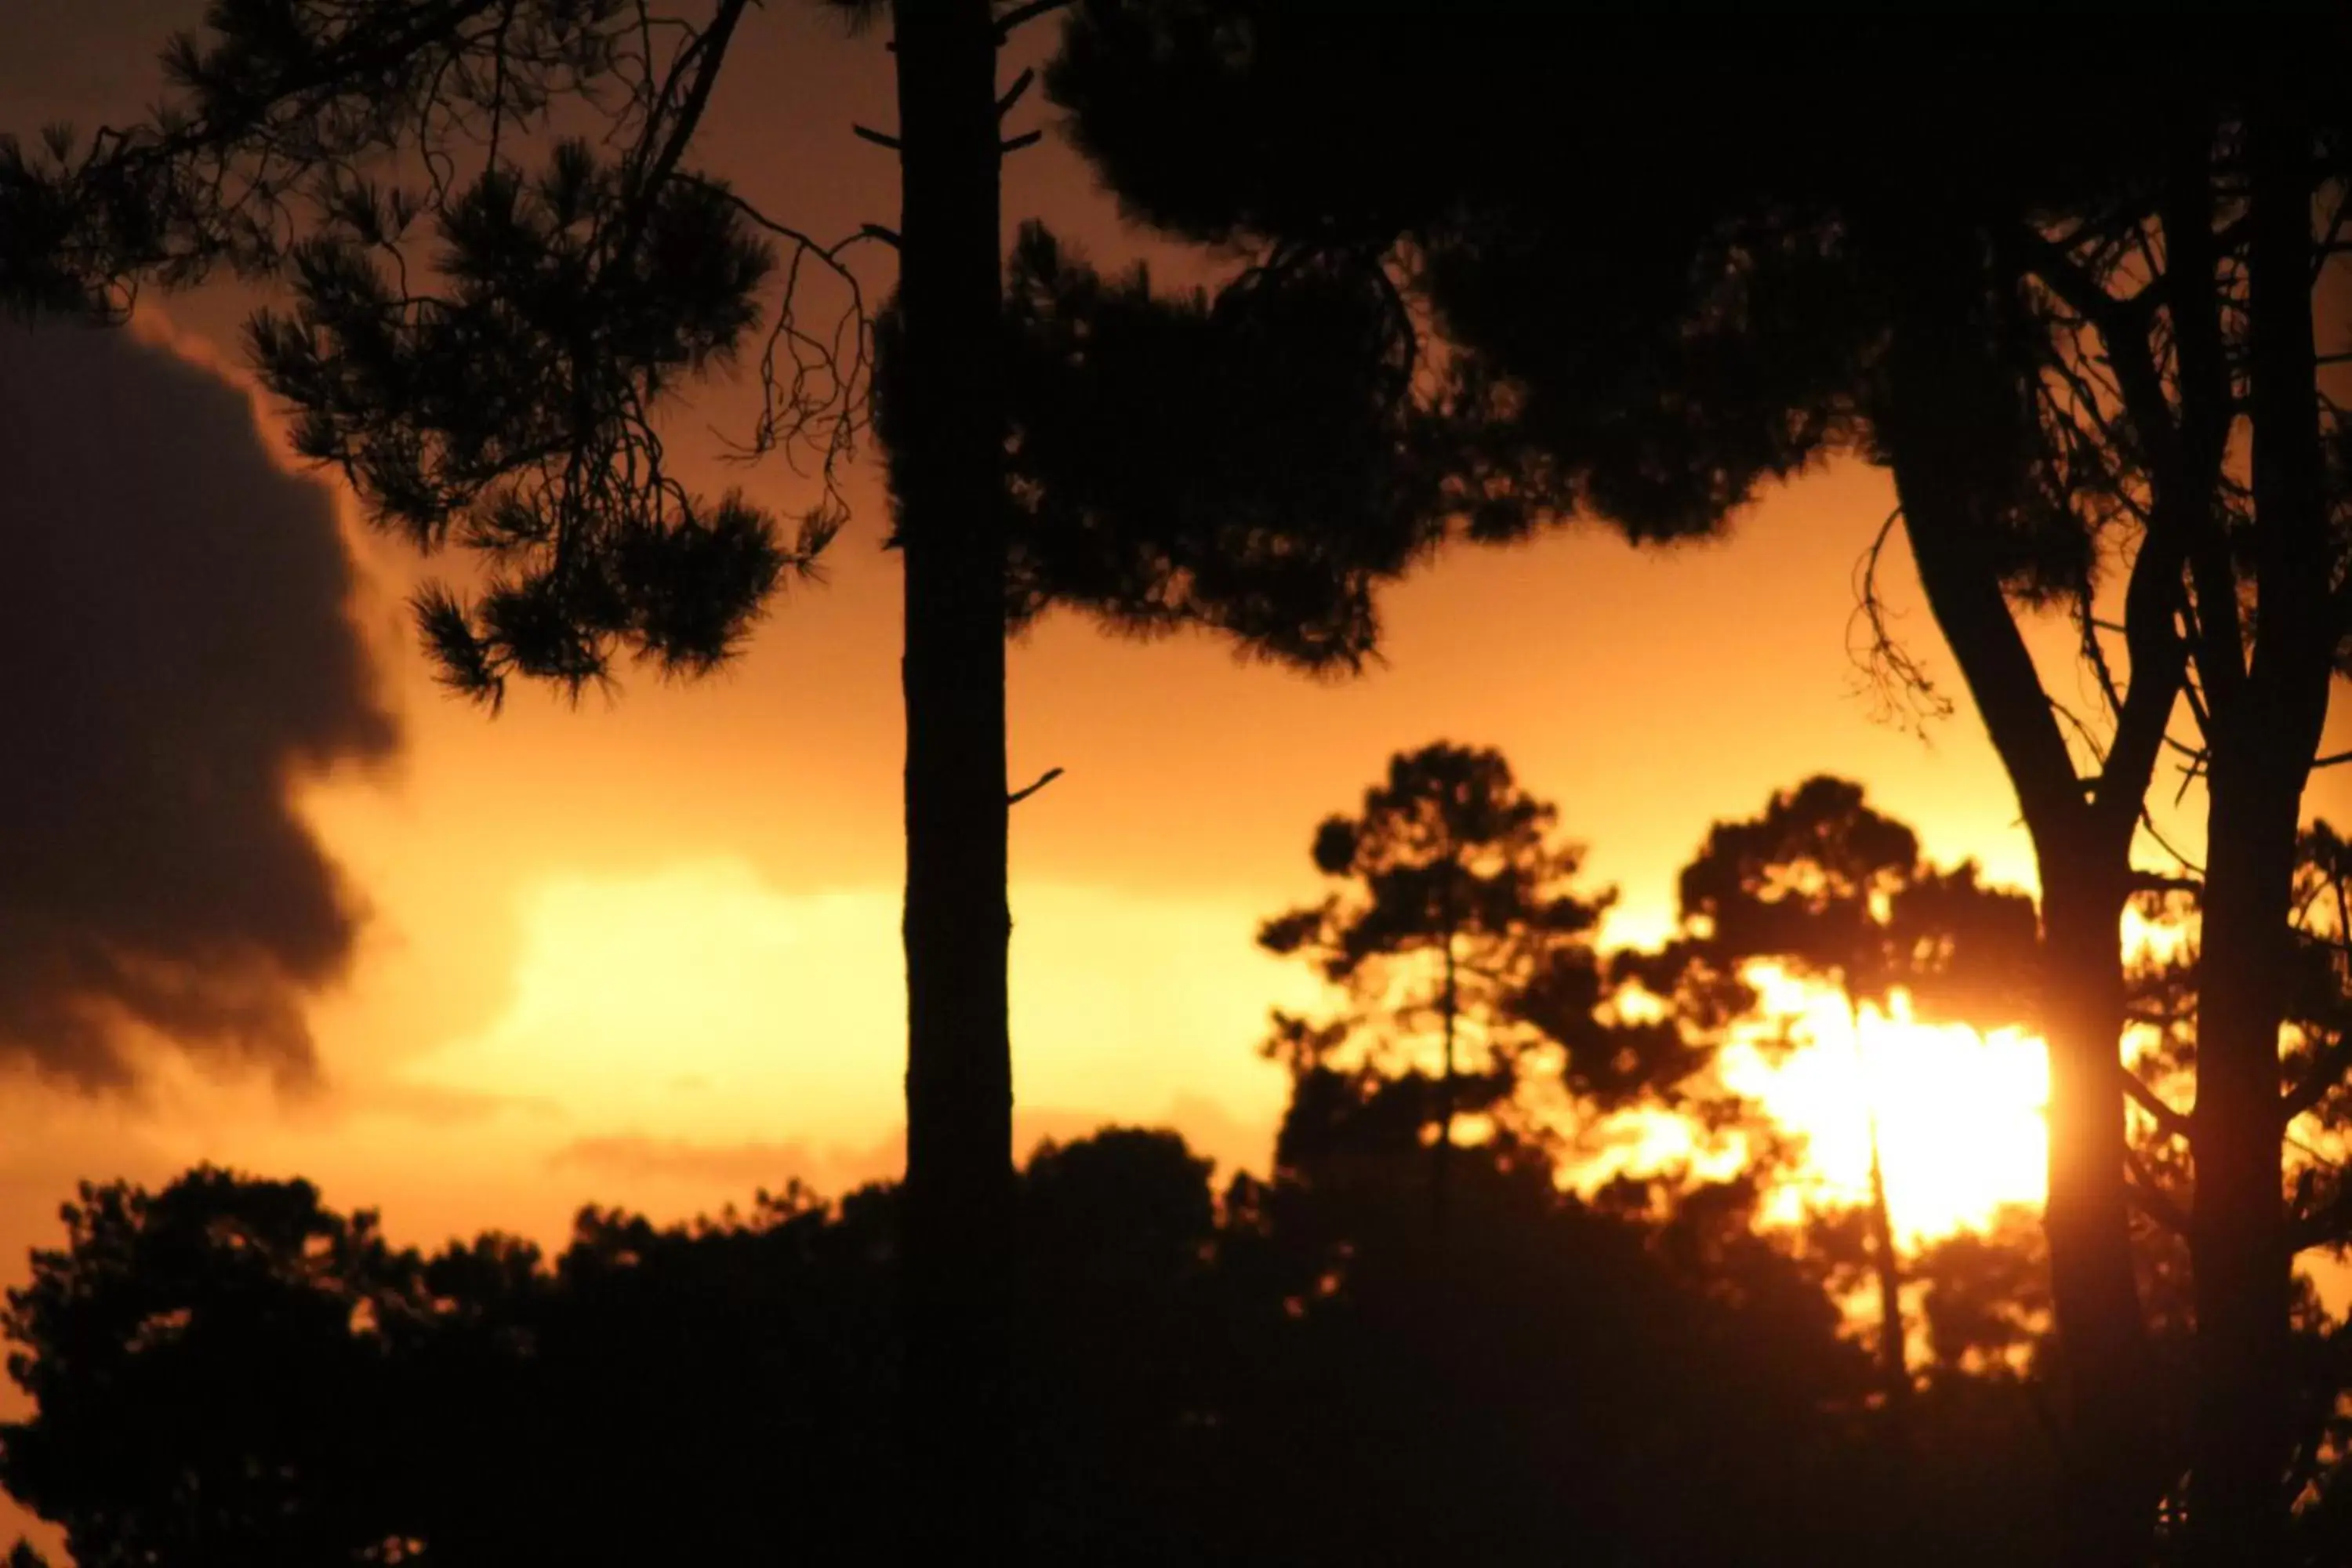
1960	1115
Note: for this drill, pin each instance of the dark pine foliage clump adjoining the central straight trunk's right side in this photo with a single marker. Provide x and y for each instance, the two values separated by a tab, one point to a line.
1238	460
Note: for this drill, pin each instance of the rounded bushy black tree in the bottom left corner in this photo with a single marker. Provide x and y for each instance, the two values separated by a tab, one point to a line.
213	1383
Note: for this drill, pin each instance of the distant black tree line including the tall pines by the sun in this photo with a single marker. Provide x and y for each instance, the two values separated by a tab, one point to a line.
1281	1369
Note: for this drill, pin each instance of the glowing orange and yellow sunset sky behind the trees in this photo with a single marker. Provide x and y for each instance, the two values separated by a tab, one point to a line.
646	951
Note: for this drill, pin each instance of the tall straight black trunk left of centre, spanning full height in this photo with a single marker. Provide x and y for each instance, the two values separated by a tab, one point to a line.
947	478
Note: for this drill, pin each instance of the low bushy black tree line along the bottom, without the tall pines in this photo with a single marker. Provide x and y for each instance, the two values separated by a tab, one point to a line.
1278	1376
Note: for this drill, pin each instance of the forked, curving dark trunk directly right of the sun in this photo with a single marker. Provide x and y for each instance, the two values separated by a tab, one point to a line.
1942	429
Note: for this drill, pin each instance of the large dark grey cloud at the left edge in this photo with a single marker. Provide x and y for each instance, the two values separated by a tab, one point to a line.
175	657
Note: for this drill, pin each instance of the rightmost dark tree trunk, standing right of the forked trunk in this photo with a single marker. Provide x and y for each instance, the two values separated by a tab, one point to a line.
2261	749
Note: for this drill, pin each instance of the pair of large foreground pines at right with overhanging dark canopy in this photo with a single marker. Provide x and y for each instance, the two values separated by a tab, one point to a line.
2050	302
